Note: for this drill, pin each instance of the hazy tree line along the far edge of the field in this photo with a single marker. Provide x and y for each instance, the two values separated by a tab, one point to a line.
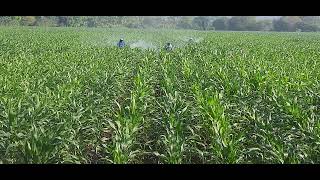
235	23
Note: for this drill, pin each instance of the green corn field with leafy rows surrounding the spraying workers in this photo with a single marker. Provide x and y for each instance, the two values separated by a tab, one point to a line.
69	95
